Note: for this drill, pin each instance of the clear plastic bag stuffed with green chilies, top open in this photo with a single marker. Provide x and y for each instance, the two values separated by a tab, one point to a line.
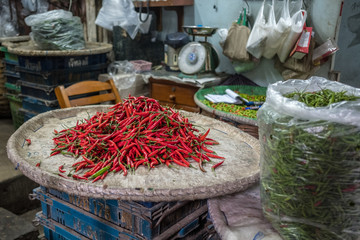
310	160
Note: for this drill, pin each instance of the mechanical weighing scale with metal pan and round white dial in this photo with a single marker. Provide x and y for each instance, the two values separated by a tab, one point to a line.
198	57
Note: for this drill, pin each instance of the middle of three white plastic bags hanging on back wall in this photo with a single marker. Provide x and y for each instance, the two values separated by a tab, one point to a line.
277	31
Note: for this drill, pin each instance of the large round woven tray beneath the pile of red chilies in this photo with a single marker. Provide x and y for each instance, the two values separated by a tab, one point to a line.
239	171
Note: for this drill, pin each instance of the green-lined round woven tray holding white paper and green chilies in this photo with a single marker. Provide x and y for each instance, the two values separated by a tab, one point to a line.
248	125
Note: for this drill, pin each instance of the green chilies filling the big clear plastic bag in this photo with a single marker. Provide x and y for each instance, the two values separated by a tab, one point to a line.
310	173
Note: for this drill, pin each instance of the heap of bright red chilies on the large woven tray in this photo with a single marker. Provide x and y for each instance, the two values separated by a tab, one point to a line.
138	131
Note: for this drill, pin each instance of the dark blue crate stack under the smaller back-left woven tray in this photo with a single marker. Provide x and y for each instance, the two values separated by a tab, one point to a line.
41	75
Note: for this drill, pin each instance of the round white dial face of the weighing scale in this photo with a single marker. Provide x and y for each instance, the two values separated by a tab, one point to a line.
192	58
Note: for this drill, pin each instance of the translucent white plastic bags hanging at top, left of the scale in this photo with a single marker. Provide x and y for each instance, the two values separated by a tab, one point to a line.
122	13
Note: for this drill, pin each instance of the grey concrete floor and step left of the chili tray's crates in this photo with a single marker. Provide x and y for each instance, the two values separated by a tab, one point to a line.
16	209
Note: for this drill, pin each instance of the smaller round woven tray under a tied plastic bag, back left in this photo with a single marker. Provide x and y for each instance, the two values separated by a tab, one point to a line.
29	49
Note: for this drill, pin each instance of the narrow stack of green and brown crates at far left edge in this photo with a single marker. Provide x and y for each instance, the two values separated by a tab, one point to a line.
12	89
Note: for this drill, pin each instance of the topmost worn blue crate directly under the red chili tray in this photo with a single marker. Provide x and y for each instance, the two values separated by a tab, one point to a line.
131	217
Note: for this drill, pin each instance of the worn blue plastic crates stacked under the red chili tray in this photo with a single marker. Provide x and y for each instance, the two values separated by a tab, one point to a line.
67	216
